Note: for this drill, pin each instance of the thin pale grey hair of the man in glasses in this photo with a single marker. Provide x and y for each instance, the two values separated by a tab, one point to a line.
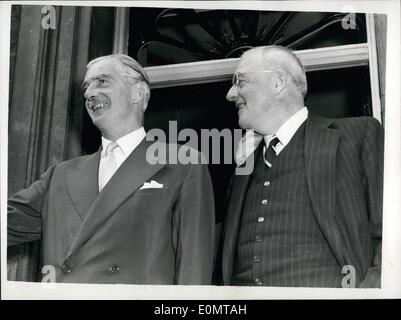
284	58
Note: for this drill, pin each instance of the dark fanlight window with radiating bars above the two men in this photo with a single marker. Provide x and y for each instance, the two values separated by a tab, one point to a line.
160	36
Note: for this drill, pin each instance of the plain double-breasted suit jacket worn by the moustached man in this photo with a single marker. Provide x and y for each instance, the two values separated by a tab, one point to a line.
125	233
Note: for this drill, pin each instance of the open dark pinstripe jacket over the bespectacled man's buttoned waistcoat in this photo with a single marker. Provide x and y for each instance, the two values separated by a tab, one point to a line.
344	169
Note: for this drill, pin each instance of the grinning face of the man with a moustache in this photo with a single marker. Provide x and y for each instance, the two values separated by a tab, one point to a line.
108	94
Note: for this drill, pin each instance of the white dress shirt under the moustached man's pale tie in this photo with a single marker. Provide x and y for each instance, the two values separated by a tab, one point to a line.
126	145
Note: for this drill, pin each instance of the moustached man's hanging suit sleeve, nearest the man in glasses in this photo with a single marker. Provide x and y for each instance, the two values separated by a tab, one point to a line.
196	228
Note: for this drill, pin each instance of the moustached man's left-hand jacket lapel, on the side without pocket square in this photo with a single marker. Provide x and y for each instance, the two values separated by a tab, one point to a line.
82	183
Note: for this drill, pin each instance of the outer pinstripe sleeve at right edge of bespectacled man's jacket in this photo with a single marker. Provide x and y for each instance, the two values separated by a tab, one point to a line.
372	162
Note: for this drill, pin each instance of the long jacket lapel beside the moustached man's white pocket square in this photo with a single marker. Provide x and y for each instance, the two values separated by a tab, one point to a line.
128	178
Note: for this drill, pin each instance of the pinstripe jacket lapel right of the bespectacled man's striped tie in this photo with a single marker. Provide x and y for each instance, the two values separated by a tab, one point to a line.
321	143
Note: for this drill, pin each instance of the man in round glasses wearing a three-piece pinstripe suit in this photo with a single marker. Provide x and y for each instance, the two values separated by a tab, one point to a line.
310	214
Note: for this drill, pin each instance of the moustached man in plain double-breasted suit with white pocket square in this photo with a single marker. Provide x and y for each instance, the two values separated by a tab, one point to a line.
112	216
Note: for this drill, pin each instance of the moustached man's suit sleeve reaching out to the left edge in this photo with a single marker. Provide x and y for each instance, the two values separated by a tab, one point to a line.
24	216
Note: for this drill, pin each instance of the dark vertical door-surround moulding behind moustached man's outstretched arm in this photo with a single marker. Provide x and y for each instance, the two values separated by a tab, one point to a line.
49	64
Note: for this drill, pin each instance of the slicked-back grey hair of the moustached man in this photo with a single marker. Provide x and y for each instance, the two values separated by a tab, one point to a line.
129	68
